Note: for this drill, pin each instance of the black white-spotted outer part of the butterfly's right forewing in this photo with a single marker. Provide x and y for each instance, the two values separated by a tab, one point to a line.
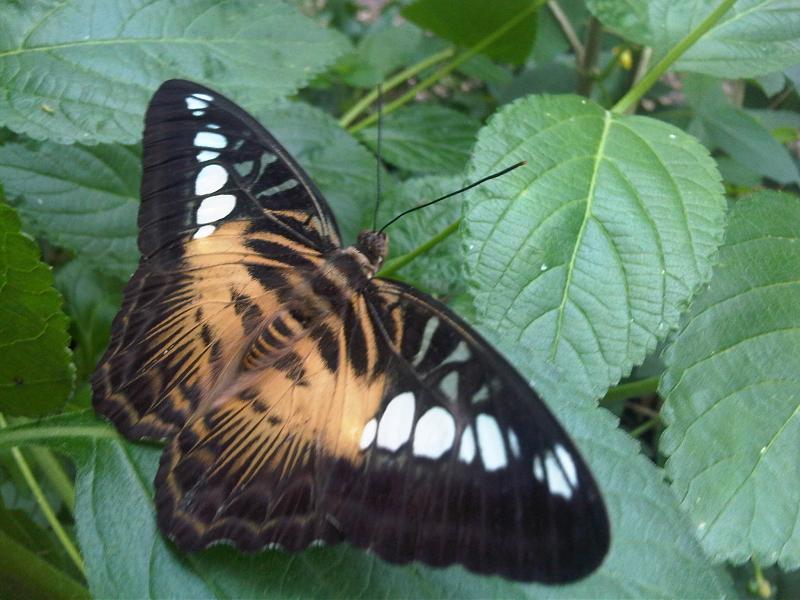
463	462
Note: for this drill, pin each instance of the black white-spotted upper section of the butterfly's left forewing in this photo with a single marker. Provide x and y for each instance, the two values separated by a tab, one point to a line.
206	161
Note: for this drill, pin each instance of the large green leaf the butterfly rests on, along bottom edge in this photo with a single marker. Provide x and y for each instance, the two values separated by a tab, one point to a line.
653	551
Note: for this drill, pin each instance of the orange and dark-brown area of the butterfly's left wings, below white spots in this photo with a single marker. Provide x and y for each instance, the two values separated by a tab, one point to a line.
179	337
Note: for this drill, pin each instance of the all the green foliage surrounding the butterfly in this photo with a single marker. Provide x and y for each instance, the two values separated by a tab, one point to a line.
643	270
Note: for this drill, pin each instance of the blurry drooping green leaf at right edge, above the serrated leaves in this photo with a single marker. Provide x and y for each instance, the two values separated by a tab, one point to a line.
740	135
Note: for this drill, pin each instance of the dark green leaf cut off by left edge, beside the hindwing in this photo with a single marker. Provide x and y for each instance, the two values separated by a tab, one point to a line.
36	372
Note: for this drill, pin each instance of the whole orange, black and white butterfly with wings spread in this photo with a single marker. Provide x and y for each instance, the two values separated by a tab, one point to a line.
305	400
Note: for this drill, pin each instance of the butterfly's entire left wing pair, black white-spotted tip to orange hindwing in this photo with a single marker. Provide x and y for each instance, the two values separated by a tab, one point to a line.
228	221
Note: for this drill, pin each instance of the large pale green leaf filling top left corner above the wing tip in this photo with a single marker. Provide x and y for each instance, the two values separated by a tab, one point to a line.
84	70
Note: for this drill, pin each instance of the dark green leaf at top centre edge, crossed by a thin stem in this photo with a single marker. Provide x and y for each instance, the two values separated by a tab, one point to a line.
467	22
